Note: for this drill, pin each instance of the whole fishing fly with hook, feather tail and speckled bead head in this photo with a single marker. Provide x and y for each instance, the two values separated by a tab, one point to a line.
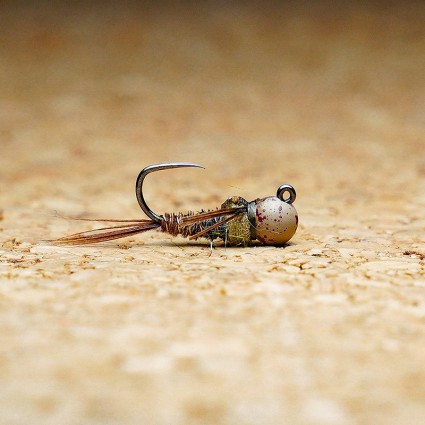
271	221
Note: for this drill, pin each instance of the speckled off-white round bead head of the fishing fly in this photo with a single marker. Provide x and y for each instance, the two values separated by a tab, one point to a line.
276	221
